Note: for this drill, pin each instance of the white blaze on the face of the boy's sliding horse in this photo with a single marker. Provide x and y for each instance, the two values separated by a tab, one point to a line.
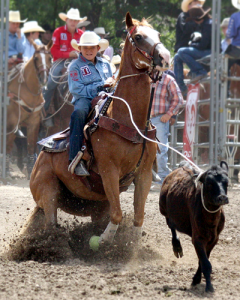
152	37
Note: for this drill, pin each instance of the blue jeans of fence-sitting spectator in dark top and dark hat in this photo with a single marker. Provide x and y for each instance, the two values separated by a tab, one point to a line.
188	55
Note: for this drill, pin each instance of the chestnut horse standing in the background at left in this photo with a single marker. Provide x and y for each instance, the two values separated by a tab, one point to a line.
26	100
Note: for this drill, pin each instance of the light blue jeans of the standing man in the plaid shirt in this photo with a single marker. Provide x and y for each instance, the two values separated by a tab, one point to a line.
162	135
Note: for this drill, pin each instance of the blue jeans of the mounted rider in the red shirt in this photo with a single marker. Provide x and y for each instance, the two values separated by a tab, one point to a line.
52	83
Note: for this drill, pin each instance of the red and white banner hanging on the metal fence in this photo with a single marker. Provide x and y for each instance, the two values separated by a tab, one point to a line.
190	120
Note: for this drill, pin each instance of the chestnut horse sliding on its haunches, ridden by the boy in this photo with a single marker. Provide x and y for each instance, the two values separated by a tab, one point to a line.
53	186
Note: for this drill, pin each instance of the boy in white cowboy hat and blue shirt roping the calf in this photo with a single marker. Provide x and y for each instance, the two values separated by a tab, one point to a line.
87	76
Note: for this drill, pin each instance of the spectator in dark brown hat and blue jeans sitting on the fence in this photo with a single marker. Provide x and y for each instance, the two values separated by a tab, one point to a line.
200	46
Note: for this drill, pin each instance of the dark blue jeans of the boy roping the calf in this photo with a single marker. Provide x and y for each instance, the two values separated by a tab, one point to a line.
82	108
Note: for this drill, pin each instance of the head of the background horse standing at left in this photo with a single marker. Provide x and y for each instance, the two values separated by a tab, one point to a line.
42	61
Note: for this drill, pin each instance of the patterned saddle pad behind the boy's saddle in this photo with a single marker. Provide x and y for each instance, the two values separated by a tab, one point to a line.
51	145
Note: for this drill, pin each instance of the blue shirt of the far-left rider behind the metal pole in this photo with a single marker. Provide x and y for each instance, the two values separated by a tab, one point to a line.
15	45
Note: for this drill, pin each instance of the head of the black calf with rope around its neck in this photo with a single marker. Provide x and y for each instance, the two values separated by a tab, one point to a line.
215	184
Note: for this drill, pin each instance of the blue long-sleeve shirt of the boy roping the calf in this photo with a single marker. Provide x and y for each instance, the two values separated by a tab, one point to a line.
84	77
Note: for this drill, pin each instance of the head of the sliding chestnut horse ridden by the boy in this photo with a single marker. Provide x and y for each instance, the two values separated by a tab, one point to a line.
148	50
